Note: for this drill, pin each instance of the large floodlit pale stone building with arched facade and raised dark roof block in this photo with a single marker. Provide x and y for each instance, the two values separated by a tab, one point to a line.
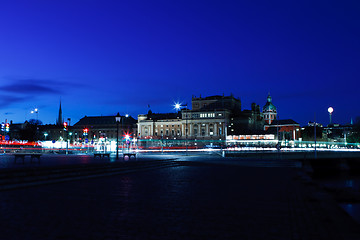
211	118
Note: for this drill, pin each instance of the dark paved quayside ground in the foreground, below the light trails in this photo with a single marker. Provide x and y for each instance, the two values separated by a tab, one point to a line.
200	196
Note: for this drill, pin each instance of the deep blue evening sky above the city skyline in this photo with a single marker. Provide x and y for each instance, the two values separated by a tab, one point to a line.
104	57
